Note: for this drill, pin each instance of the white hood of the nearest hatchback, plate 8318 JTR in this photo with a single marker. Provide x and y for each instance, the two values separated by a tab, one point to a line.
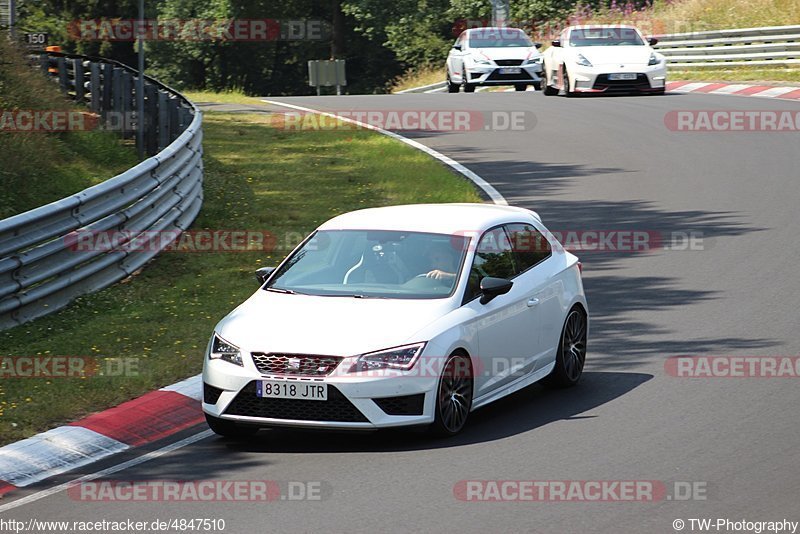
339	326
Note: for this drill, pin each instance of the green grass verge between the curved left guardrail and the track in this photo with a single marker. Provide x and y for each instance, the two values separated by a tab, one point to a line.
257	178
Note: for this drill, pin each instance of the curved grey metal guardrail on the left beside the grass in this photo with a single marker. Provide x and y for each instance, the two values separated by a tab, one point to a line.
41	270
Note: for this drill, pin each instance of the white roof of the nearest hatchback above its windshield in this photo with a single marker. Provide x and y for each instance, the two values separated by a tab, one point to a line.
451	219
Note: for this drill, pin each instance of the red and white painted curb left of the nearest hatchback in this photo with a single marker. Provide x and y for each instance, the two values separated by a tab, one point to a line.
143	420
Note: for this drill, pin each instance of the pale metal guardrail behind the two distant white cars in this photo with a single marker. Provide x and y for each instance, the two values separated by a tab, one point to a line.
773	45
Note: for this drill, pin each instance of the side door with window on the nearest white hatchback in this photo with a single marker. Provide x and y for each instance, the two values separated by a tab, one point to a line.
505	326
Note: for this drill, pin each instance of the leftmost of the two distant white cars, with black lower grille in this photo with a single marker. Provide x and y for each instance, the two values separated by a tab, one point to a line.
493	56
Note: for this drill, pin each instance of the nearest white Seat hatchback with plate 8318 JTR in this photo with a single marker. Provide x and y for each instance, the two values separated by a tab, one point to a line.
404	315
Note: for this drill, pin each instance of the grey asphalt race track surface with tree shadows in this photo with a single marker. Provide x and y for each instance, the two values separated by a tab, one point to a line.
602	163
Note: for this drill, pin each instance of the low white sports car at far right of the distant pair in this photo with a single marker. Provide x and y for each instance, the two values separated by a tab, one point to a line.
603	59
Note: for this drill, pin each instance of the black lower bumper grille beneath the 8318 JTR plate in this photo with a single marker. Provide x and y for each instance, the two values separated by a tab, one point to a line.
336	408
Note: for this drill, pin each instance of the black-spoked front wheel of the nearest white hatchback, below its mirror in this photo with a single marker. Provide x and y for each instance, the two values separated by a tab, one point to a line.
453	396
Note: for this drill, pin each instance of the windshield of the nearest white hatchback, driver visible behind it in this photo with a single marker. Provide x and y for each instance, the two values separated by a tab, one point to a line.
373	264
